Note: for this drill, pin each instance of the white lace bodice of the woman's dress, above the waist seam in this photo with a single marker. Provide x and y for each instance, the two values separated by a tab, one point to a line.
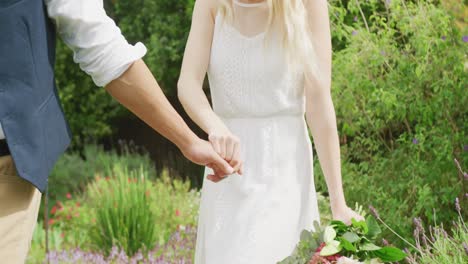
249	76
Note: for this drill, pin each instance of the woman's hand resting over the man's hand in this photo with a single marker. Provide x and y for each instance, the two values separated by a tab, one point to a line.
228	147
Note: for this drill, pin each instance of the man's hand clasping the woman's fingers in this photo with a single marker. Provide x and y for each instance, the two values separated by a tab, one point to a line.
202	153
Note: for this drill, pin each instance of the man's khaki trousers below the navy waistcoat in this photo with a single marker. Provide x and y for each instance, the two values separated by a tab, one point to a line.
19	207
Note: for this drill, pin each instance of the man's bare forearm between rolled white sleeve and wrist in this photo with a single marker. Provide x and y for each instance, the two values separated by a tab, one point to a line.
138	91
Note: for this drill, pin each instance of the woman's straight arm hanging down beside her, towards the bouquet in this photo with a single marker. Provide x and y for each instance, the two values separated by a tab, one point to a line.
320	111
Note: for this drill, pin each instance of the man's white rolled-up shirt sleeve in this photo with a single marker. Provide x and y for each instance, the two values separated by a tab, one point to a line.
98	44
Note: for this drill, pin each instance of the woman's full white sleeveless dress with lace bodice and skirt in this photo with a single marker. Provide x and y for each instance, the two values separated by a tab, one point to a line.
257	217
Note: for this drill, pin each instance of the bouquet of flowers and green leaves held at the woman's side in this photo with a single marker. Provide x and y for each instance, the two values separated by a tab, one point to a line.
338	243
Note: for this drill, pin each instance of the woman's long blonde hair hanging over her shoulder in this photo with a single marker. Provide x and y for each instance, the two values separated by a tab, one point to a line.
291	17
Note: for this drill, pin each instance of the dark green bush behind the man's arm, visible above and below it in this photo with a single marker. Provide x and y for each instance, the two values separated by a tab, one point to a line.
162	26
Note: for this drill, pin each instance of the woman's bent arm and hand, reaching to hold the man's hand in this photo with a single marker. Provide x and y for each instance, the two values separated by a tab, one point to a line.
190	85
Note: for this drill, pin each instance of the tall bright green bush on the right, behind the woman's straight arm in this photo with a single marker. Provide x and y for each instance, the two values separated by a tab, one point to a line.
399	87
